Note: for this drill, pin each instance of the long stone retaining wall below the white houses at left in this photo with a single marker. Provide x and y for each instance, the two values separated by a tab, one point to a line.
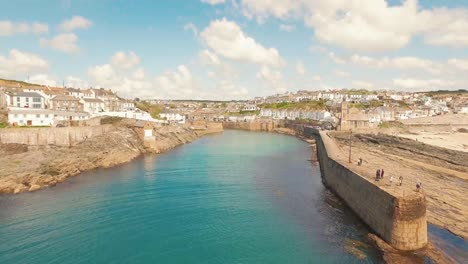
58	136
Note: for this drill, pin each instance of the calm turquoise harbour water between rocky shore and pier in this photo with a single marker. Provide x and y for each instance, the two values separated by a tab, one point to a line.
236	197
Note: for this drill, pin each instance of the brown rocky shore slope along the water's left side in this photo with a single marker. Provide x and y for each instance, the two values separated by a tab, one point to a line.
32	167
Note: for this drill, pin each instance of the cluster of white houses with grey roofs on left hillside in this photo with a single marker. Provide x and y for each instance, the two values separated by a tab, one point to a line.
46	106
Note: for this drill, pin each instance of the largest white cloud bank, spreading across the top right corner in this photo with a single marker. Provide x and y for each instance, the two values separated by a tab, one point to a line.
368	25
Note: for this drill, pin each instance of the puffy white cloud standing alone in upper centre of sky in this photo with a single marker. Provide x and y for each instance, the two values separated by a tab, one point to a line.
227	39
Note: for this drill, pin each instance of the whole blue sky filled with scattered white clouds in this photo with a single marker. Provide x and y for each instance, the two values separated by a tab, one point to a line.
235	49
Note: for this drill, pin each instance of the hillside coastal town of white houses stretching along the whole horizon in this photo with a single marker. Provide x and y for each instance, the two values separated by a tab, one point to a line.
24	104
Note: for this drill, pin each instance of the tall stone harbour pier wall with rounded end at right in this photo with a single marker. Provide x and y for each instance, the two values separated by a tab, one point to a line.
400	221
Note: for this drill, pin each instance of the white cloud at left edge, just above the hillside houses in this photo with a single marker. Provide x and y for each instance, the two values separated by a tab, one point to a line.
18	63
